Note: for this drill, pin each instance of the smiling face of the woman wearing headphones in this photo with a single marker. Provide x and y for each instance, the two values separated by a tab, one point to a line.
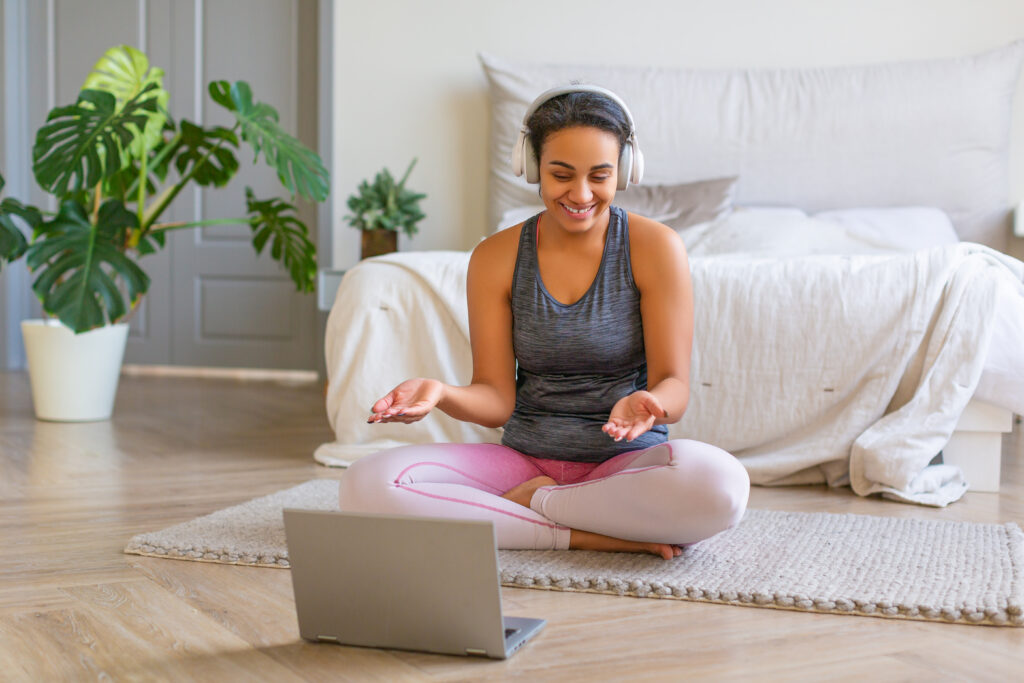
579	175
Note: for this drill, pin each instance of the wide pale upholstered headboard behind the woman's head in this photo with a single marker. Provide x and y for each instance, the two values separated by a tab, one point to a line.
916	134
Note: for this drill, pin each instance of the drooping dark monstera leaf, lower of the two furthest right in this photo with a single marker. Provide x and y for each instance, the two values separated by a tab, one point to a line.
274	222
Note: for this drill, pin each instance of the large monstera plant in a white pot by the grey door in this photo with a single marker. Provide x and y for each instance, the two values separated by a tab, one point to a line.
115	161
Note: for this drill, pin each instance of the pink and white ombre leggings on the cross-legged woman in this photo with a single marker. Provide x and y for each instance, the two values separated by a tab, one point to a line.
678	493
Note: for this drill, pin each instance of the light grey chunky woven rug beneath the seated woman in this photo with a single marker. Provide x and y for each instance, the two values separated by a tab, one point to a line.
840	564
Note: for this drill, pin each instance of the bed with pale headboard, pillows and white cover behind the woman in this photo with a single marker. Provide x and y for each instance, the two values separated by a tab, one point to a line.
859	323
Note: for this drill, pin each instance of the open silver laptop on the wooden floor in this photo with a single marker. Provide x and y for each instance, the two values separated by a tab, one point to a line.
402	583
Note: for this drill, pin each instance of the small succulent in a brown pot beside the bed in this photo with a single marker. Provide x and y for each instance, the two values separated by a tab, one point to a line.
381	209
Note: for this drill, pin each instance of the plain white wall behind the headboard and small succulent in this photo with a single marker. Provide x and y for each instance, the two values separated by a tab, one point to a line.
408	82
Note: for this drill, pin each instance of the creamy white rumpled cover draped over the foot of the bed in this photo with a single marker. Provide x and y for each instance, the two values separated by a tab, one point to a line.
824	368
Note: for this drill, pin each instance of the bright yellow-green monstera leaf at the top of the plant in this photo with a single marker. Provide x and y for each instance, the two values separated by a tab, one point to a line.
125	73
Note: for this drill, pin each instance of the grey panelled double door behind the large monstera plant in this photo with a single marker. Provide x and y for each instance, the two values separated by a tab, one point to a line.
212	302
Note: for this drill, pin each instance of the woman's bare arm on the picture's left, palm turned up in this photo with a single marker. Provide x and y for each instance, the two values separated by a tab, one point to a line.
490	398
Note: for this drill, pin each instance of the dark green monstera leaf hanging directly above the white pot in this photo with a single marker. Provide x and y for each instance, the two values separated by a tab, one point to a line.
79	266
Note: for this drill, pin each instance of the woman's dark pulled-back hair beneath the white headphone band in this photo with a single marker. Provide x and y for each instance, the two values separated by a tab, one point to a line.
578	109
